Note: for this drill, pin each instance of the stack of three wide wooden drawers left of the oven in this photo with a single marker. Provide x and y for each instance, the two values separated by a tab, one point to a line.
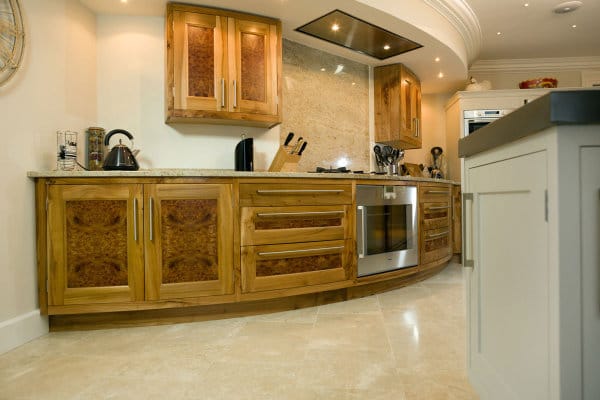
295	234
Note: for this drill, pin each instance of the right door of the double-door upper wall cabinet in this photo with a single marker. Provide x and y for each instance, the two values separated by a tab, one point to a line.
253	75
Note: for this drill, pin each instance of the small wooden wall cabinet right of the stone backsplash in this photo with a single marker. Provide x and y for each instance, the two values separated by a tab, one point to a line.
397	107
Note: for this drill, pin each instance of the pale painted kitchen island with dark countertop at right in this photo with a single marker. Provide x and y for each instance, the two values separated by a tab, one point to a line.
532	218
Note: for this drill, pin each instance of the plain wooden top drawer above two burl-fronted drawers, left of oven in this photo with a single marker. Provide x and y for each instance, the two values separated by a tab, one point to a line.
287	194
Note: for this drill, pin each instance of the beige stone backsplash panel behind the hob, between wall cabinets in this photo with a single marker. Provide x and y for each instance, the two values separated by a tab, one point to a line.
326	101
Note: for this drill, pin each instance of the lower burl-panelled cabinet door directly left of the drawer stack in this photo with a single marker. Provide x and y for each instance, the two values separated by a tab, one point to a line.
189	240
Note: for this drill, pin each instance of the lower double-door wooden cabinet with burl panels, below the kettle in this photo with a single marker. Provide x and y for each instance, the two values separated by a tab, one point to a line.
125	243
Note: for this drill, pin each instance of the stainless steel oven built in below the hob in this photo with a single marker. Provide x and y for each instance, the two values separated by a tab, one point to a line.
386	228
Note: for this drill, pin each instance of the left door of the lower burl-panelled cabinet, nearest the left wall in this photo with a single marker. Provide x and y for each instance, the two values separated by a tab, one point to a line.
95	244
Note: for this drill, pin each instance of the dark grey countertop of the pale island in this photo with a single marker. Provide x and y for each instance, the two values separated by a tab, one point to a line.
560	107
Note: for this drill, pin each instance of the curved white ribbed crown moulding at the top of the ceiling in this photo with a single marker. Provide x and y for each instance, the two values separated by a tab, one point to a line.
464	20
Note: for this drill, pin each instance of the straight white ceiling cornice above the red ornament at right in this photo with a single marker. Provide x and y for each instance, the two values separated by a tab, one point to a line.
529	64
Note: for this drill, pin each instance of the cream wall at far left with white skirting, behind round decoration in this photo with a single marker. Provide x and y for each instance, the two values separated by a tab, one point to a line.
54	89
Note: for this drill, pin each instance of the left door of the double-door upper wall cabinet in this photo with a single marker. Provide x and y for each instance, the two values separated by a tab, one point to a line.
200	61
